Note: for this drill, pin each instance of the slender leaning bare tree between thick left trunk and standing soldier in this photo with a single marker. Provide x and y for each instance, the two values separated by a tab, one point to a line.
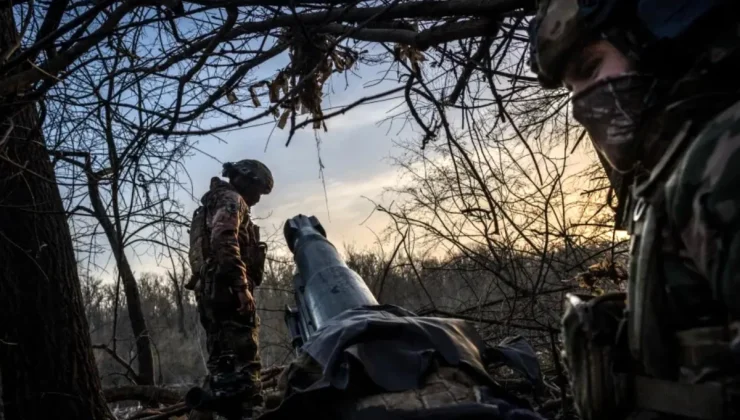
134	175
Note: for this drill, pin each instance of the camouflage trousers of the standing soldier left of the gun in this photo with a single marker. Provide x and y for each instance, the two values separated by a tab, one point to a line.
232	340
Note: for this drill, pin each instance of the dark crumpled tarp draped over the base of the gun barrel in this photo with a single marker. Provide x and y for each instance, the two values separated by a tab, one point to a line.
393	349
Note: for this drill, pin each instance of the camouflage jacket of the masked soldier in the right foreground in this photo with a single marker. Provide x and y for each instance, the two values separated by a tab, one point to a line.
684	287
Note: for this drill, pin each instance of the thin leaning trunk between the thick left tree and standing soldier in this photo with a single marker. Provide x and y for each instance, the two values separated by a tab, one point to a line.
145	358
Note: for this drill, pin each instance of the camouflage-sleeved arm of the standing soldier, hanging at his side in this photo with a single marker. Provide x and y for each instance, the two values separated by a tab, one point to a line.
229	213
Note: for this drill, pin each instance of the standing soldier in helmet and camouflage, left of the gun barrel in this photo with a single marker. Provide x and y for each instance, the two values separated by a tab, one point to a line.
227	260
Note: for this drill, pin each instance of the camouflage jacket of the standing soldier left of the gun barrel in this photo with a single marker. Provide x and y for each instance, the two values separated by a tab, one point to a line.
231	231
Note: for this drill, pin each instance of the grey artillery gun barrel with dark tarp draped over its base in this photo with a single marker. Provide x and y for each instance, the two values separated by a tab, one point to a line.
341	333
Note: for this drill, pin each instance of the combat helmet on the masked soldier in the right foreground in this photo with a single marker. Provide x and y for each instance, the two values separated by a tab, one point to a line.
653	34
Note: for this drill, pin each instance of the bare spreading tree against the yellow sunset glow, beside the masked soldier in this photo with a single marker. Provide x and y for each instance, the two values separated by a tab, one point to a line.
518	218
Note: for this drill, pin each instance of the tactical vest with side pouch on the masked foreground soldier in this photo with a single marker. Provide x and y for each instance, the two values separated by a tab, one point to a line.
672	354
